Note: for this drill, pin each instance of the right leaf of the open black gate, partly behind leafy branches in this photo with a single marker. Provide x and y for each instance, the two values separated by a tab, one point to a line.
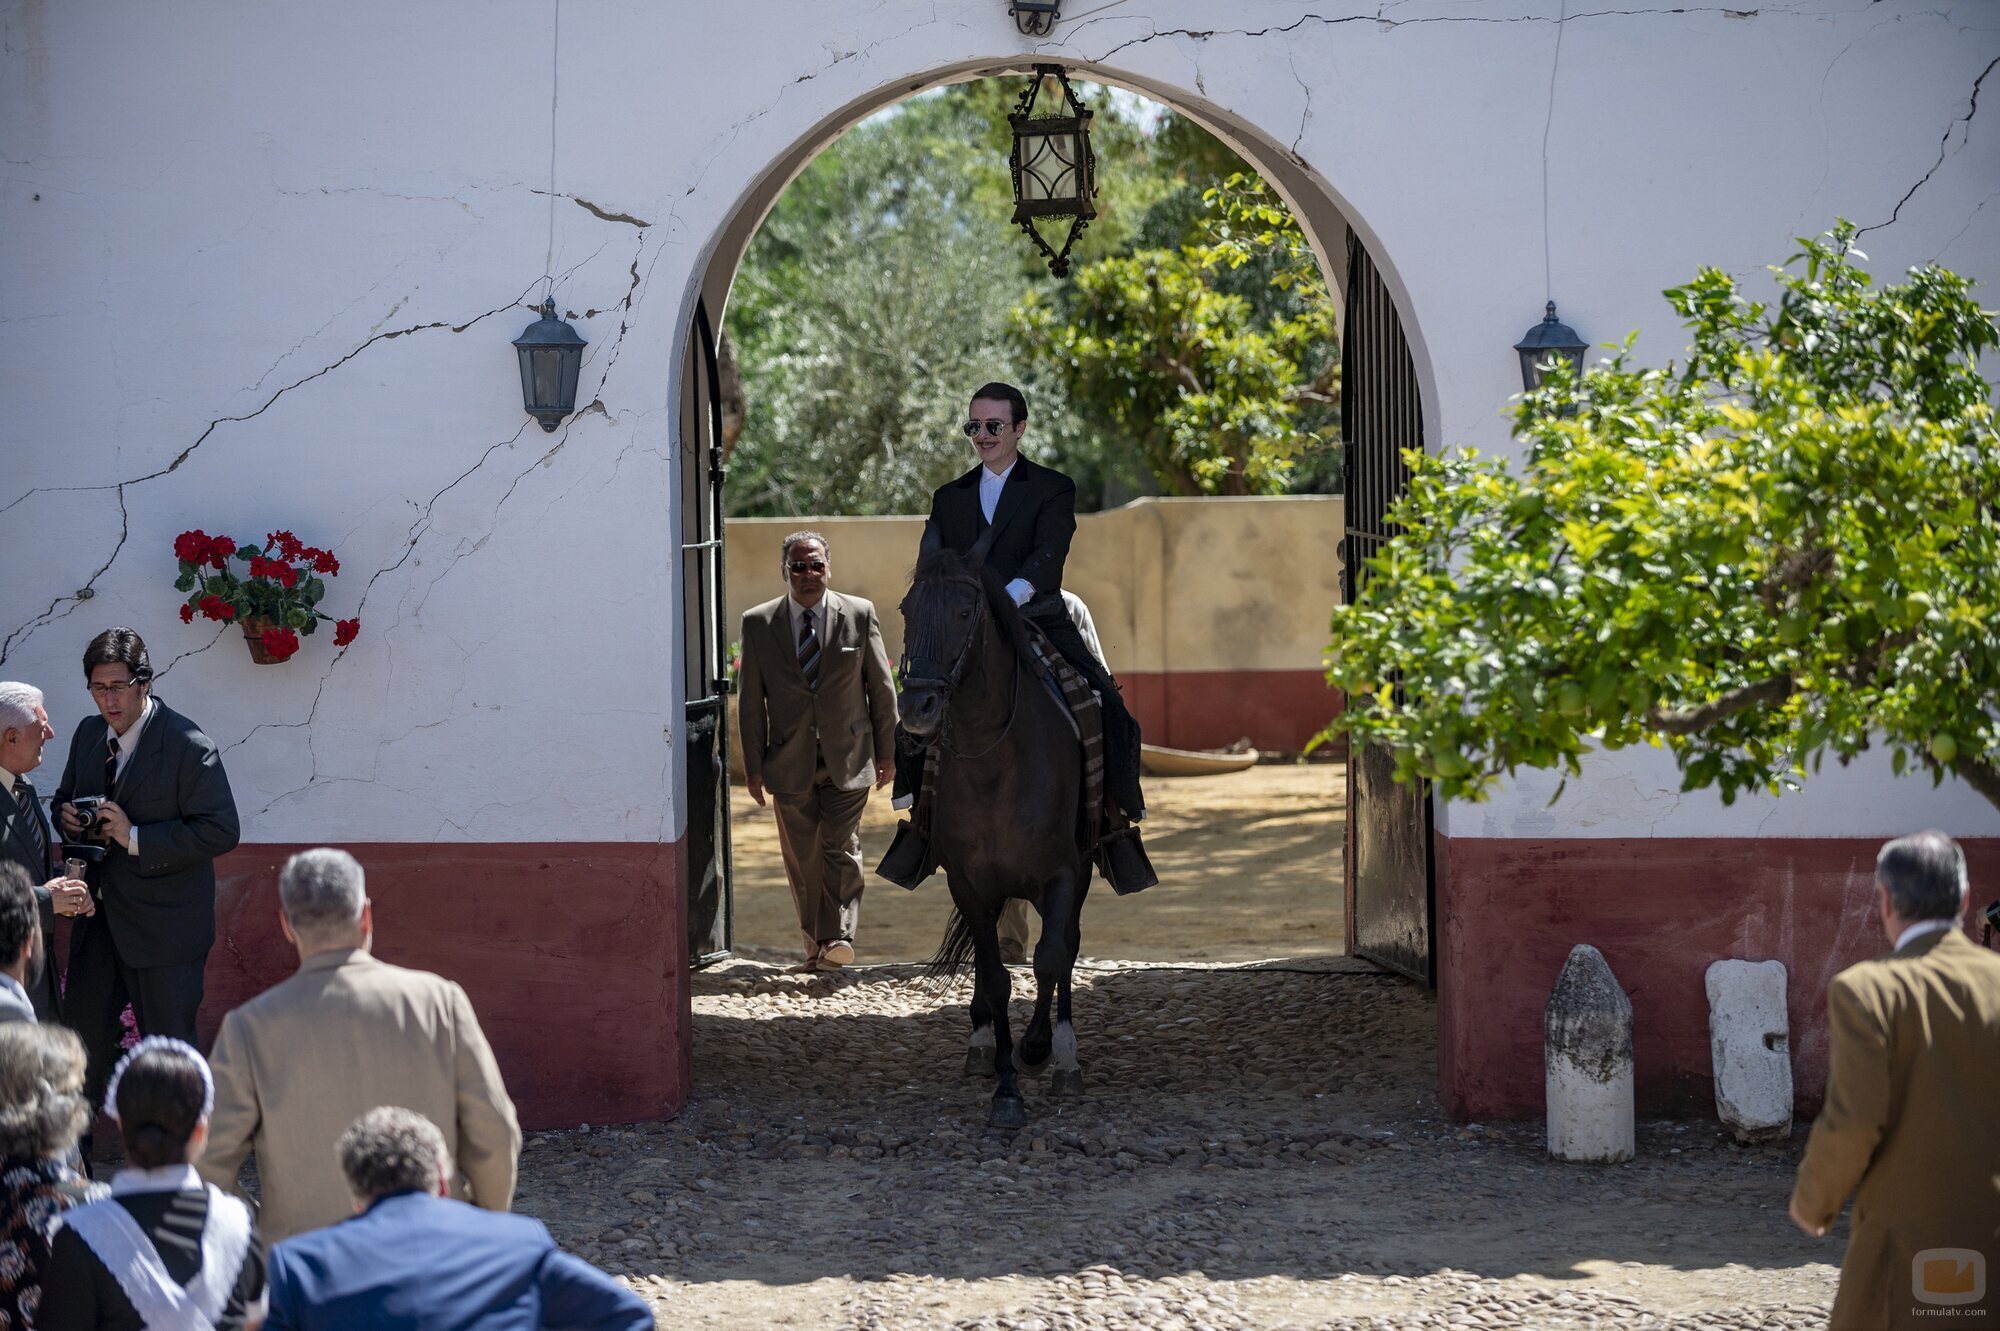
1391	872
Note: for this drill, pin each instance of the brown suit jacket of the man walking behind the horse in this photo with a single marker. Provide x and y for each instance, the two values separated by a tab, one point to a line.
791	730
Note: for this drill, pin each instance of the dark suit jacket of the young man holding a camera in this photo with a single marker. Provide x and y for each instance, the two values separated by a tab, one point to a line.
161	906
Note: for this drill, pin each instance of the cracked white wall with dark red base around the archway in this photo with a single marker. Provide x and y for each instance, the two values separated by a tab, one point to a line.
285	303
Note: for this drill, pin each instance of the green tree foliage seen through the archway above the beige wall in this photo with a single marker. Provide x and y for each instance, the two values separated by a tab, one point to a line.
887	279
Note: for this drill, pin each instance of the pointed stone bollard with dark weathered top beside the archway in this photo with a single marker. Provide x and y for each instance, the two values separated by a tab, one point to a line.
1587	1056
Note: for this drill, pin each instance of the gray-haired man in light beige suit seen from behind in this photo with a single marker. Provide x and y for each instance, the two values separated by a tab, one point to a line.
343	1036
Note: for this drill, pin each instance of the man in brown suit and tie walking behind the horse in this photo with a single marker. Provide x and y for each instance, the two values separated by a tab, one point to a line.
819	726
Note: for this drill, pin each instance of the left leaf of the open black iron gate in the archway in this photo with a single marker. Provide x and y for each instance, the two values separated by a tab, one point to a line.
705	655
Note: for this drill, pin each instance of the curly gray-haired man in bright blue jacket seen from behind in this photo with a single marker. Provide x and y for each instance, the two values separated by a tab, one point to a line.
413	1258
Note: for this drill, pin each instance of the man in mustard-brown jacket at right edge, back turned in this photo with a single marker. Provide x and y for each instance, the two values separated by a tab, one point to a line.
1913	1102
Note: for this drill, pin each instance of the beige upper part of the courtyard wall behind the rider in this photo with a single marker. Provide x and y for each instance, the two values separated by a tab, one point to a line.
1173	585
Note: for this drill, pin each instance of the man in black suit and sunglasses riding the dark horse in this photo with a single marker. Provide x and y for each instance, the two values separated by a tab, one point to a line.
1017	519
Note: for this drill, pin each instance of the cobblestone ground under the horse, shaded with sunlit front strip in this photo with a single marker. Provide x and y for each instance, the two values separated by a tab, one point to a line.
1255	1150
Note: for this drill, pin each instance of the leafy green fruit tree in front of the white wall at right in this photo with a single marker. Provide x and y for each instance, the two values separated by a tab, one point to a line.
1777	551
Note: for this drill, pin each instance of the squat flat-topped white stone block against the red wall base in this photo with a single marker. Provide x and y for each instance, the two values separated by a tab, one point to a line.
1749	1038
